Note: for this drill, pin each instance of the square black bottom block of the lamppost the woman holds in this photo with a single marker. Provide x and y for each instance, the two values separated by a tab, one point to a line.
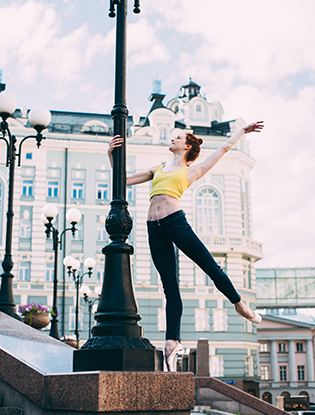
118	360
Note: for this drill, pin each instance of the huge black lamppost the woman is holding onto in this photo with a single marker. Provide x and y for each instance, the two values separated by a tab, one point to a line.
117	341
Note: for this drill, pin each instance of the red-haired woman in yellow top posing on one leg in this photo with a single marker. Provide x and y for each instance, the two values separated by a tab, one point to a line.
167	225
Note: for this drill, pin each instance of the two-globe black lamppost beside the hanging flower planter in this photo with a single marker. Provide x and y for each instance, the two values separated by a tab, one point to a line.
50	211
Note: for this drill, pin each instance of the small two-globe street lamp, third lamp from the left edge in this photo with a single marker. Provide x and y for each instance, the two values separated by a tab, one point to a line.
73	265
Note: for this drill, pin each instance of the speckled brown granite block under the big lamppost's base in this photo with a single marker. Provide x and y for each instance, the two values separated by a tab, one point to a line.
120	391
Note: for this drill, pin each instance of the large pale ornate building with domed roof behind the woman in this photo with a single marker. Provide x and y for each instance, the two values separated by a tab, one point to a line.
71	169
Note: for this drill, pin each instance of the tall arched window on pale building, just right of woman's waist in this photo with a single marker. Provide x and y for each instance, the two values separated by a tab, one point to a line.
208	212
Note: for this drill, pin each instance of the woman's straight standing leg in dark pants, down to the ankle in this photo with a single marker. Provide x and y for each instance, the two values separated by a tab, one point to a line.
163	256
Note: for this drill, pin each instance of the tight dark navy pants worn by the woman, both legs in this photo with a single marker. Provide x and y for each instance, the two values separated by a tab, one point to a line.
175	229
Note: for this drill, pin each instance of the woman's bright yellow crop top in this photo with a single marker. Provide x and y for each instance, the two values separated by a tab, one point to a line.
171	183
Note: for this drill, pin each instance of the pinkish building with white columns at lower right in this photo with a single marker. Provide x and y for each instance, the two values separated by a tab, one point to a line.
286	356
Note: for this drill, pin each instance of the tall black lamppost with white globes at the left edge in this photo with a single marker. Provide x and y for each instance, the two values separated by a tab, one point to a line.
39	117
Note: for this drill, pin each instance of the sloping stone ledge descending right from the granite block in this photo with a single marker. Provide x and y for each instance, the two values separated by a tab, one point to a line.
238	395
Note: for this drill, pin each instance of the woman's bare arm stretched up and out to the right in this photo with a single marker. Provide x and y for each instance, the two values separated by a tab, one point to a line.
195	172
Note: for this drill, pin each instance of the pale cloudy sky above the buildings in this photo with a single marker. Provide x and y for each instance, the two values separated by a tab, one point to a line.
256	57
